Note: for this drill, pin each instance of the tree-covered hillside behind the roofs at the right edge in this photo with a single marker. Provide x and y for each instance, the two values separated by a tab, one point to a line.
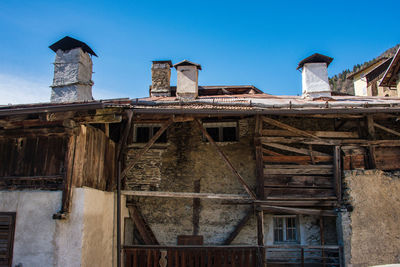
339	83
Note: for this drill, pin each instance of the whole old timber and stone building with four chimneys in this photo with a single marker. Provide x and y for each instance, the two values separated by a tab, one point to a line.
198	175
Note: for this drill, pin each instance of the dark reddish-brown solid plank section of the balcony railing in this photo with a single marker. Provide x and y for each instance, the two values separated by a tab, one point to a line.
188	256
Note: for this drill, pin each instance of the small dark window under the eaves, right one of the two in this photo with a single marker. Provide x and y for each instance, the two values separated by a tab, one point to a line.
222	131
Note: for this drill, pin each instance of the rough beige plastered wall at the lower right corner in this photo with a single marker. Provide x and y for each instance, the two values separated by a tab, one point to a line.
371	232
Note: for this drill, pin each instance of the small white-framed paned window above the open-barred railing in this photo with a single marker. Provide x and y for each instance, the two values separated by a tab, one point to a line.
285	229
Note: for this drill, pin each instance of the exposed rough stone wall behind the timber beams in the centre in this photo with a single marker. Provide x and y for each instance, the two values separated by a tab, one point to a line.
188	163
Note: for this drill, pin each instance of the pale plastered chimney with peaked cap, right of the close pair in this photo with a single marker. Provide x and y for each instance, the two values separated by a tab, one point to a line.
187	87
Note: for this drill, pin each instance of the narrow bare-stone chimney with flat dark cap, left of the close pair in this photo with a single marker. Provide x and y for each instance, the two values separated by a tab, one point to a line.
161	78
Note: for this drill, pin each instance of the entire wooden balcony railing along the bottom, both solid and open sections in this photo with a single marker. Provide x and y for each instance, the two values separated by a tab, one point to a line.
231	256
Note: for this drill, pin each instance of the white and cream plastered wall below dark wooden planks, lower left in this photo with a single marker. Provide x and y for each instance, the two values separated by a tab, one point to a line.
86	238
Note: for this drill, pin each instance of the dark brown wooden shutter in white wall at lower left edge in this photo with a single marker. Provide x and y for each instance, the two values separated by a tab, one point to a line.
7	226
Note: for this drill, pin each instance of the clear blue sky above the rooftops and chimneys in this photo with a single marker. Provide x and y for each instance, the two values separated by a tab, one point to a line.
236	42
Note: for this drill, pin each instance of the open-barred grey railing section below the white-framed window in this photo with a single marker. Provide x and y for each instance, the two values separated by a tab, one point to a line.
304	255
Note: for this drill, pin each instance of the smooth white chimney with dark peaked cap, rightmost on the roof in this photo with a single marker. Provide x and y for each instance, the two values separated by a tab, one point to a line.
315	81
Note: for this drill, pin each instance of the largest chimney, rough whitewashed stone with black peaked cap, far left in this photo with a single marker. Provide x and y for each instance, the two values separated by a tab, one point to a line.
72	80
